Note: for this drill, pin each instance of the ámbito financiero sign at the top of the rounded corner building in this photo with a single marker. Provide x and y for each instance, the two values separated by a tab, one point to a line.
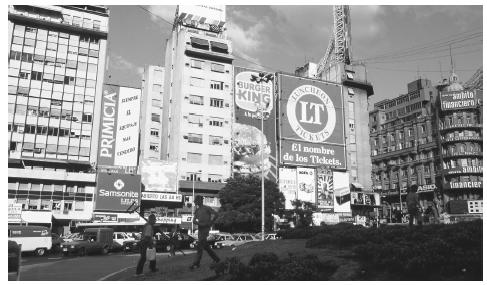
454	100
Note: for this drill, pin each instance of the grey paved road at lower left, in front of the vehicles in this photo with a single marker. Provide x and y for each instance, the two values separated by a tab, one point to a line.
86	268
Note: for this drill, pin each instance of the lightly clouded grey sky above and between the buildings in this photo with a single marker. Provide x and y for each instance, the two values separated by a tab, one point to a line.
398	44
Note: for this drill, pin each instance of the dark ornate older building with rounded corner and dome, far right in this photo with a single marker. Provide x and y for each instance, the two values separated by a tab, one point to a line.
414	142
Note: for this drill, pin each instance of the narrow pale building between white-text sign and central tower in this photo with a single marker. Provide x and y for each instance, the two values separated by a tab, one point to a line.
151	113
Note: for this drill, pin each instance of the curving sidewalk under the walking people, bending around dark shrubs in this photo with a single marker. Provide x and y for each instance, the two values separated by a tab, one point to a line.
177	268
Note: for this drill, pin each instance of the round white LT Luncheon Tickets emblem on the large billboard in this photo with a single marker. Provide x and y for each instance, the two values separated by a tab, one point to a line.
311	113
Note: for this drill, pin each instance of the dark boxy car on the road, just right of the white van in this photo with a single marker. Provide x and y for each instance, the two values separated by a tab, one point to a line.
94	240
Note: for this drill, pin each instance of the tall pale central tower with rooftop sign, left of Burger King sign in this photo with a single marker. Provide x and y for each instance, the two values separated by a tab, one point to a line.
197	113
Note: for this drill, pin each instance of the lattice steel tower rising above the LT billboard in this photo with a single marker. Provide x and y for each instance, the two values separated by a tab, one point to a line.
340	43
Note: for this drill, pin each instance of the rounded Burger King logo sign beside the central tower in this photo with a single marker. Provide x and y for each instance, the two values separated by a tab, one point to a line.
250	94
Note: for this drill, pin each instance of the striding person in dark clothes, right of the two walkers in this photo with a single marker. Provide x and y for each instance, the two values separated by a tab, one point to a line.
204	217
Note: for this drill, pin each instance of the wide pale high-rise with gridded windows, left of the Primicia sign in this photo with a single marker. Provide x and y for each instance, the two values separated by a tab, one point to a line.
56	71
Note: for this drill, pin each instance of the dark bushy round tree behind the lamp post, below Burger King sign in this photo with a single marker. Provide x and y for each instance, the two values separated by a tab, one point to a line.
241	204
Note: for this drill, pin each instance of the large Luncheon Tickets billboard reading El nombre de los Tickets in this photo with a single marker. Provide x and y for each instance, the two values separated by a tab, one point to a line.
311	122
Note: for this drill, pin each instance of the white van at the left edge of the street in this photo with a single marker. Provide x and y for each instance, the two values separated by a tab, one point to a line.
32	238
